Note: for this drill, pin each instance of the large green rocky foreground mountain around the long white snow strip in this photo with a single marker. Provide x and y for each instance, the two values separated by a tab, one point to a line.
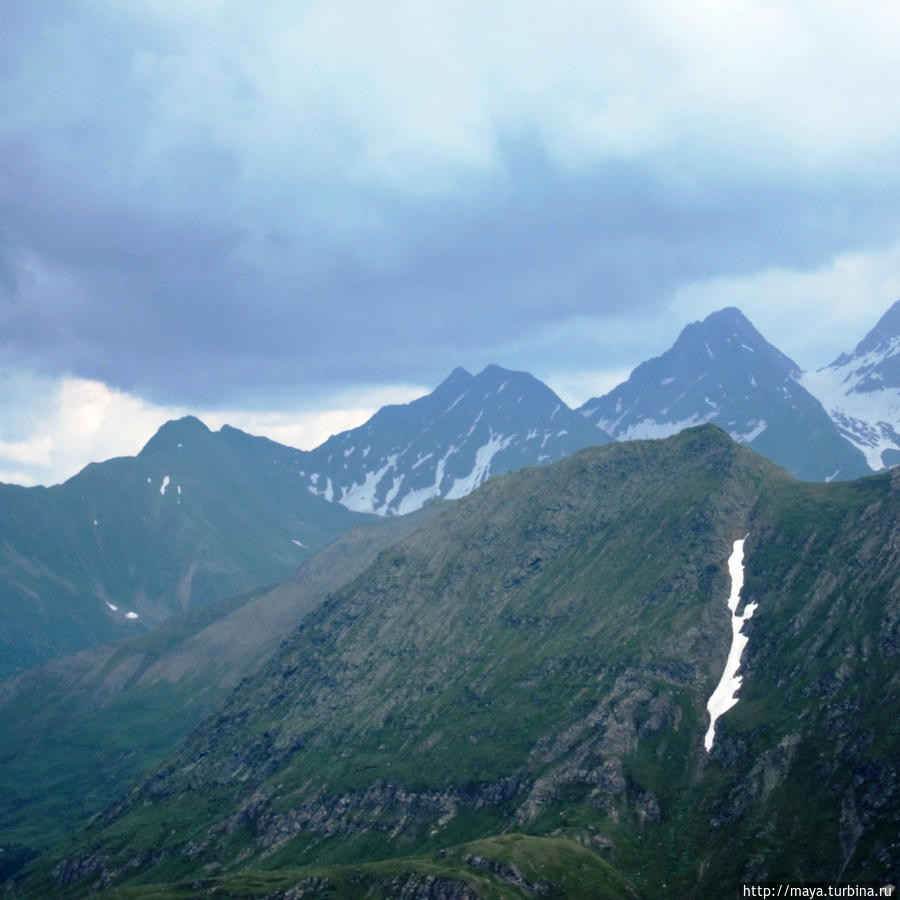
511	701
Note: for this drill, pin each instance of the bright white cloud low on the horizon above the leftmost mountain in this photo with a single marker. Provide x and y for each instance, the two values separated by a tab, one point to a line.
87	421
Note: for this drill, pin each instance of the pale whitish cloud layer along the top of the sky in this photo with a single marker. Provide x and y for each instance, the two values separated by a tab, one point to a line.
411	95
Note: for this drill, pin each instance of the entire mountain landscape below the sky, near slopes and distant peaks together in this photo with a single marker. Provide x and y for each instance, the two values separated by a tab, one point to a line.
467	649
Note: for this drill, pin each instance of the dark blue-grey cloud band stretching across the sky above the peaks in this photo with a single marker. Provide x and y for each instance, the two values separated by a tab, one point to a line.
161	254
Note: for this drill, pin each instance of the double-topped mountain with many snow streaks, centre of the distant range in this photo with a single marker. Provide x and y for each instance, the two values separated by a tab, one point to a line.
447	443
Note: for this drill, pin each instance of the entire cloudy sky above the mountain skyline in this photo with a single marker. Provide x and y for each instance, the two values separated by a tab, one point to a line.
283	215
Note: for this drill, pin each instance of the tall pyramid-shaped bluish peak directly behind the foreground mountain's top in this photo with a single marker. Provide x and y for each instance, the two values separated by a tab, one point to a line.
723	370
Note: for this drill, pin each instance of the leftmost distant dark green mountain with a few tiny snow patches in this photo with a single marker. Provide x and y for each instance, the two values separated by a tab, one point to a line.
233	515
